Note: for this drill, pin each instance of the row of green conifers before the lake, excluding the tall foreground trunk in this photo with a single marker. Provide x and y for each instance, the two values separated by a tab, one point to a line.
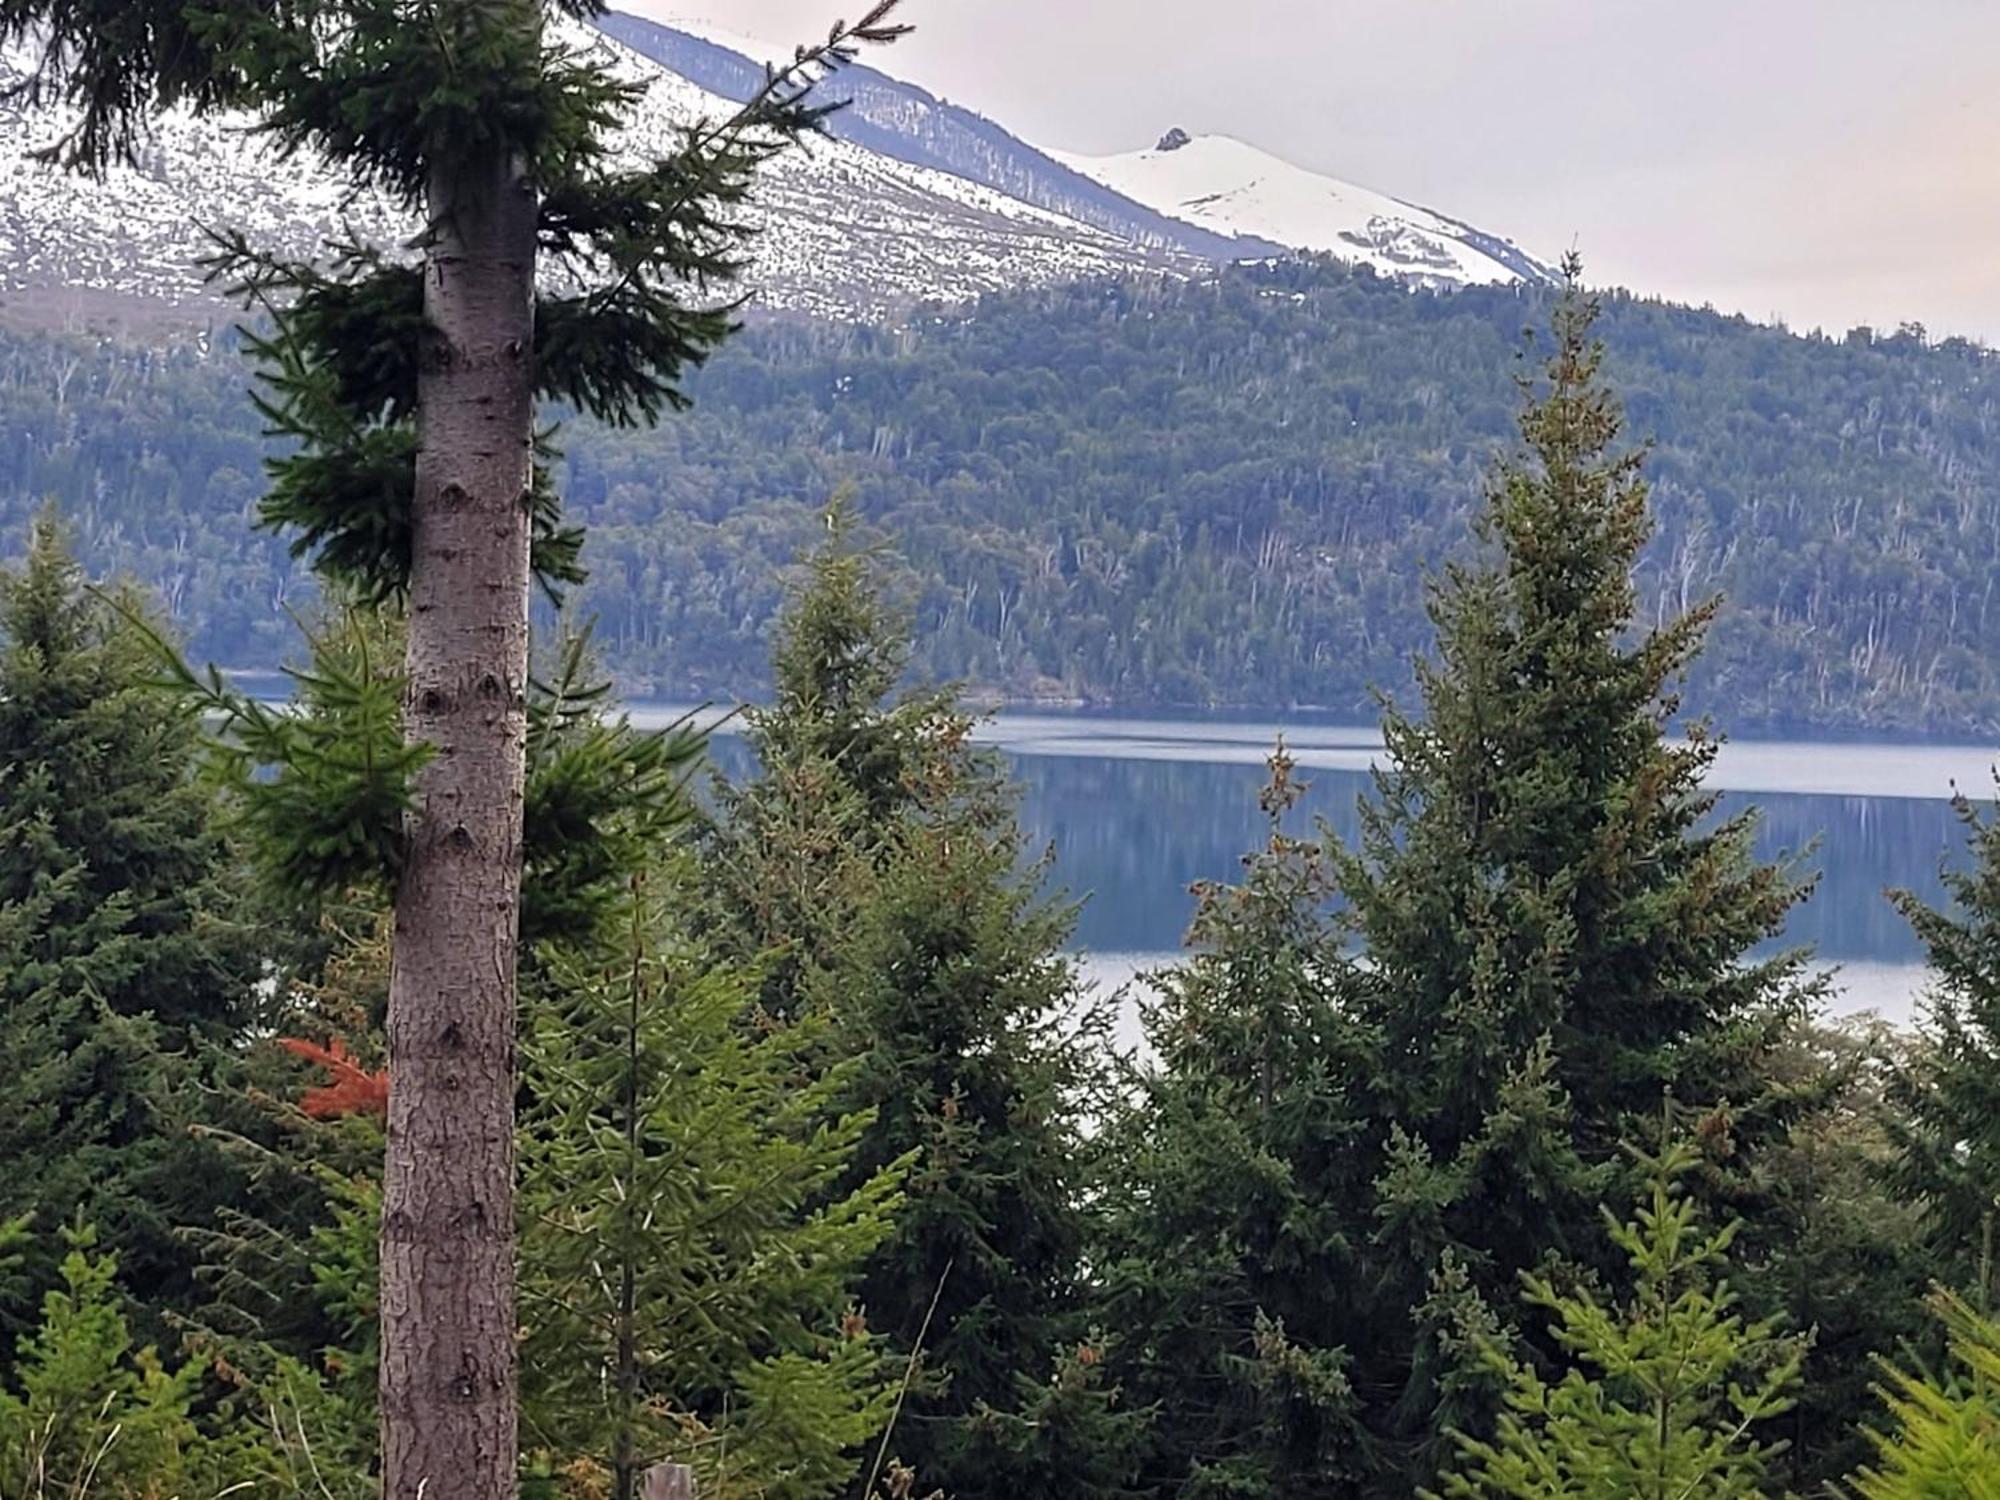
1473	1153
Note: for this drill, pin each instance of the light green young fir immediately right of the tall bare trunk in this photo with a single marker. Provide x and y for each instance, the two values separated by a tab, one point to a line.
689	1251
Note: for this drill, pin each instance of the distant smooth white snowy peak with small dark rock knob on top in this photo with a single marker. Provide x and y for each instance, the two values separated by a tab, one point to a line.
1235	189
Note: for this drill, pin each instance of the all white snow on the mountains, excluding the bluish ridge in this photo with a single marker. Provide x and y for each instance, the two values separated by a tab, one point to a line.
843	231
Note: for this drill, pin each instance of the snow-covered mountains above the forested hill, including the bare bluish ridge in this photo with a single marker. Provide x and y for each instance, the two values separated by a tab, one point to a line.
913	199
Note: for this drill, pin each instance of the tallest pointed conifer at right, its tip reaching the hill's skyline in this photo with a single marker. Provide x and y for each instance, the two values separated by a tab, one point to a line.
1555	923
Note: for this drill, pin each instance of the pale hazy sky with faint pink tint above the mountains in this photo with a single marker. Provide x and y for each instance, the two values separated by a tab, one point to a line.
1823	161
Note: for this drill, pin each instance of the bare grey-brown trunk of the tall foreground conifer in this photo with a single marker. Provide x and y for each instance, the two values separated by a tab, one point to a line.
449	1359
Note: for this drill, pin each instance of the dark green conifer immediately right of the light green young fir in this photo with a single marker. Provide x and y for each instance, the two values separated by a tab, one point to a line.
959	1003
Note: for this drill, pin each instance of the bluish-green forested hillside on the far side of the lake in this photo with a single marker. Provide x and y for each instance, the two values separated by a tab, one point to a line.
1159	495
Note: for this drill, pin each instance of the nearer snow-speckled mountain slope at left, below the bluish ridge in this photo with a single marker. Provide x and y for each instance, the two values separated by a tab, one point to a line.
847	231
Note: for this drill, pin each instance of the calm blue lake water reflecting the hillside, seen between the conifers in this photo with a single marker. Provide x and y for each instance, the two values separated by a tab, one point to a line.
1137	811
